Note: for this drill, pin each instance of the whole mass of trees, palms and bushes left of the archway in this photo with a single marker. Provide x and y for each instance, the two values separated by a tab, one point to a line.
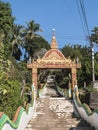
17	44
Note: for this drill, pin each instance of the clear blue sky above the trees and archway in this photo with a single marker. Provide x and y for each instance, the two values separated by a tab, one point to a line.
61	15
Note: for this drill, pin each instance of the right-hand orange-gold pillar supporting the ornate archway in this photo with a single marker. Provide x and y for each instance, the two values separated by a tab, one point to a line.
74	77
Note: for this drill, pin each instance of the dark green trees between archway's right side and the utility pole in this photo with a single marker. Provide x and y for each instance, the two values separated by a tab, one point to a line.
84	56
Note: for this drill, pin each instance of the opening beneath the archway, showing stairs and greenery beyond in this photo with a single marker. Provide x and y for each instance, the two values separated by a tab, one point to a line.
54	80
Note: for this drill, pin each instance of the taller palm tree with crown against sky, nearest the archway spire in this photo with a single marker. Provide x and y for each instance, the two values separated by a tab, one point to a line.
29	34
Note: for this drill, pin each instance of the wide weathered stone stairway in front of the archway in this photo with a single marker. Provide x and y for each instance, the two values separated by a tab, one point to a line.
56	113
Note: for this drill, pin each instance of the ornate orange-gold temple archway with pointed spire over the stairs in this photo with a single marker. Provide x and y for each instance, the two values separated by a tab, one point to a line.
54	59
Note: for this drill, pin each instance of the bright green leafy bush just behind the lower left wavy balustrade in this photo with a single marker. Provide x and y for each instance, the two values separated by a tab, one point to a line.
10	99
